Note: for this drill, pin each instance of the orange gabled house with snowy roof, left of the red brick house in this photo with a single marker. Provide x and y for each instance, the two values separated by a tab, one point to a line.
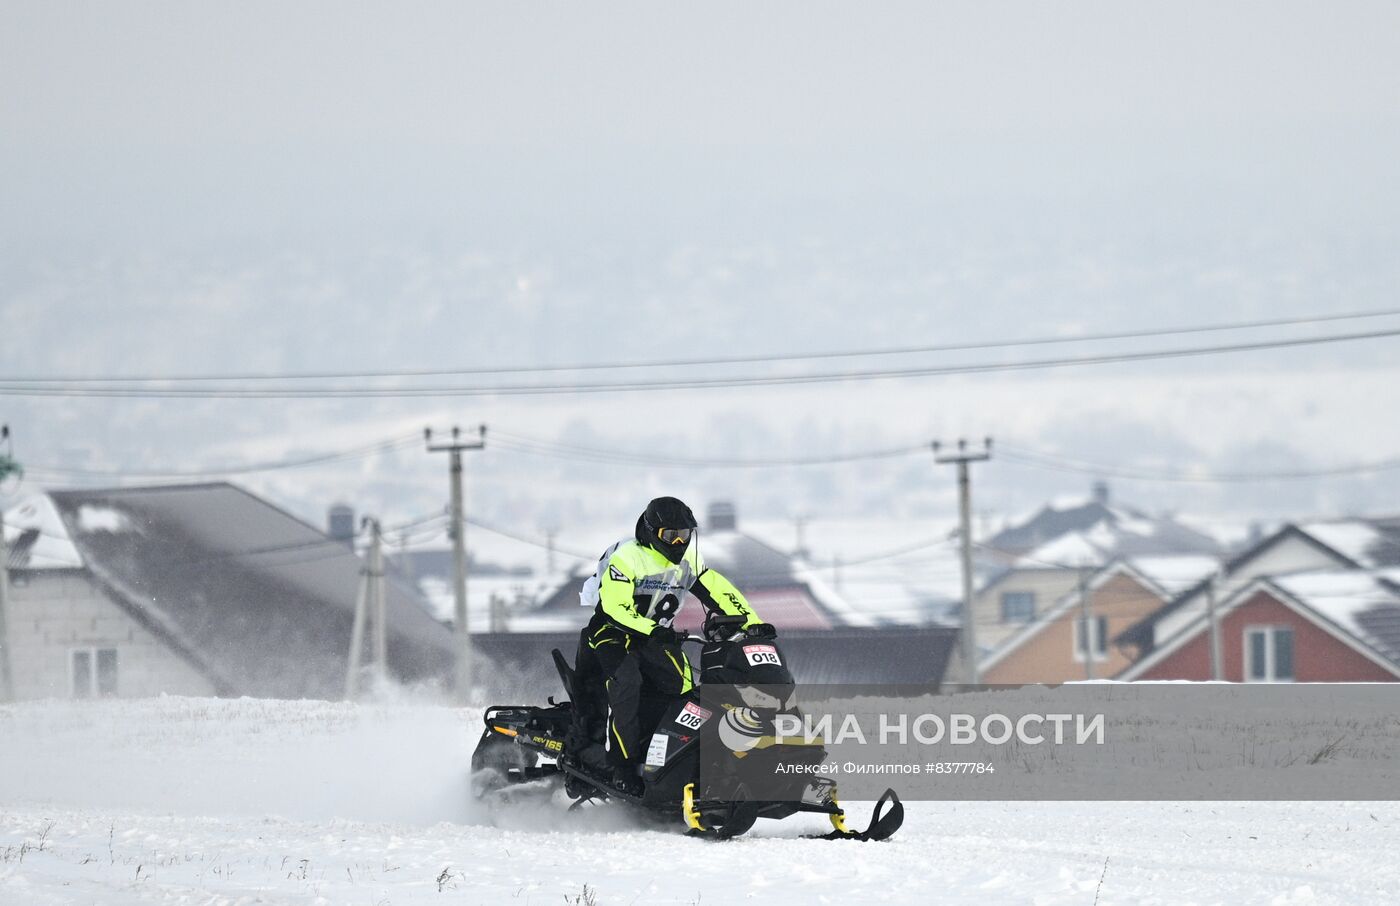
1070	641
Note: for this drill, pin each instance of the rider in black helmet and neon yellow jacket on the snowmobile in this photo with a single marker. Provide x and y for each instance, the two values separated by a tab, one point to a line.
631	645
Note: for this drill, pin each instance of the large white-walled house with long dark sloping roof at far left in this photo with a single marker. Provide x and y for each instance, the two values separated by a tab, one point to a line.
191	590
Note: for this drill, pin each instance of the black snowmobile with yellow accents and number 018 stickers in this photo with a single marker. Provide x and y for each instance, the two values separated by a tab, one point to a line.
744	685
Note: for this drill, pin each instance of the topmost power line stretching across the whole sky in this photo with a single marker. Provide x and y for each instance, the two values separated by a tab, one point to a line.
723	361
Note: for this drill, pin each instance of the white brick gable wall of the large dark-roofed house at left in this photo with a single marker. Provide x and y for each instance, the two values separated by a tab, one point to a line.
52	614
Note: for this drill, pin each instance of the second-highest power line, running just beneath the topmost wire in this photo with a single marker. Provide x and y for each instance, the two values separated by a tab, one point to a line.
639	387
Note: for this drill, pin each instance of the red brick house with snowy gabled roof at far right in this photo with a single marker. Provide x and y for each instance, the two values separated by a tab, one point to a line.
1317	627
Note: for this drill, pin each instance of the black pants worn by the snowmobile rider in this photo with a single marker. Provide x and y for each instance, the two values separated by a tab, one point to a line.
638	678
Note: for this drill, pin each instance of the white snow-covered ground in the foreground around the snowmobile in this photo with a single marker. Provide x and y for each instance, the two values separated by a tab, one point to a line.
219	803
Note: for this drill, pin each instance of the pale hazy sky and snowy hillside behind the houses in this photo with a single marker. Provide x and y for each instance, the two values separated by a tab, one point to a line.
204	188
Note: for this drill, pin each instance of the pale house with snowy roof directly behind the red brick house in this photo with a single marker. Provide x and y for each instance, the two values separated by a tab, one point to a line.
1296	548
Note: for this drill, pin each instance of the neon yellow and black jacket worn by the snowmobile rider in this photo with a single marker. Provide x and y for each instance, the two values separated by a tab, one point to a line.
639	589
